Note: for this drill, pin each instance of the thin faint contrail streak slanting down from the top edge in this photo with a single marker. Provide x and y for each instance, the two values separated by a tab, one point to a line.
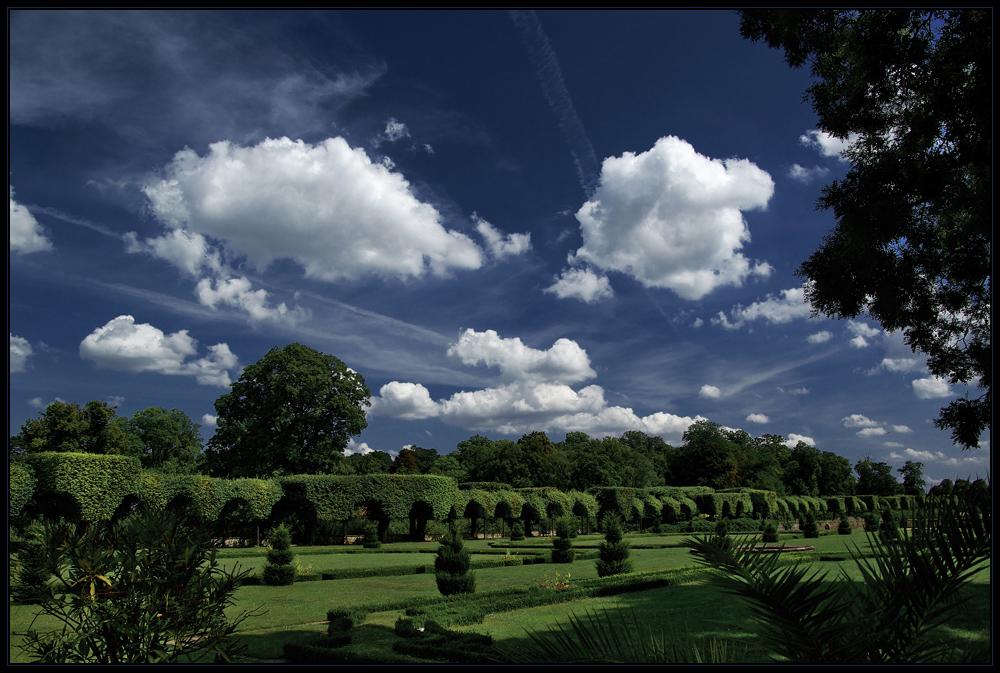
550	76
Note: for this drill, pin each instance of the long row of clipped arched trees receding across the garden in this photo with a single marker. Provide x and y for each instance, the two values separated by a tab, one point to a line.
100	488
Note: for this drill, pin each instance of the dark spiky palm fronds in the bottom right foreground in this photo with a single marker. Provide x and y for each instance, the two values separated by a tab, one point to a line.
911	588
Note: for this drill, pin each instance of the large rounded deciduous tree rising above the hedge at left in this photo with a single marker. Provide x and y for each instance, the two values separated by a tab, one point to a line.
290	413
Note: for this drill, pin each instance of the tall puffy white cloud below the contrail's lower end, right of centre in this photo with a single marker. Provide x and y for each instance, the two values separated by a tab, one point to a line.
671	218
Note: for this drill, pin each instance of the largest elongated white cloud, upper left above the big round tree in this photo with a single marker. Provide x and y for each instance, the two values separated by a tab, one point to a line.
327	206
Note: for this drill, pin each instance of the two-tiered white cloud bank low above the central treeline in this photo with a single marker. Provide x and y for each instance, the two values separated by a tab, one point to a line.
536	394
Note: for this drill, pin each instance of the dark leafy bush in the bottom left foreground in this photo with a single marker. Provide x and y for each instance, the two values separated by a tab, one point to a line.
142	590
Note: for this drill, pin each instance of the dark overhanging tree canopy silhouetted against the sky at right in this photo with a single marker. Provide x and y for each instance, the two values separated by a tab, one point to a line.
912	247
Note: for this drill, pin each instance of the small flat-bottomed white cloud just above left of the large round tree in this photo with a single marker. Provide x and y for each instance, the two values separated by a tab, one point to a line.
124	345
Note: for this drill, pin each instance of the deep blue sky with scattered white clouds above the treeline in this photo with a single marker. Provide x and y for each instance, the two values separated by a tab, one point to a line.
562	221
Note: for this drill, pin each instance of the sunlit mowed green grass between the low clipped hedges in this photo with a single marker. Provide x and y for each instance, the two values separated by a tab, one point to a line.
693	613
